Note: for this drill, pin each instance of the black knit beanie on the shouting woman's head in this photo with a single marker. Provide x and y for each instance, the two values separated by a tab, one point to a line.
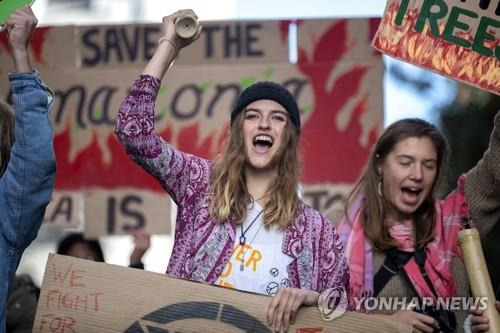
272	91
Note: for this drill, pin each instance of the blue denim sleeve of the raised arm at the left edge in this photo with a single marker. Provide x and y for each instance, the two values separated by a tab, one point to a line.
26	185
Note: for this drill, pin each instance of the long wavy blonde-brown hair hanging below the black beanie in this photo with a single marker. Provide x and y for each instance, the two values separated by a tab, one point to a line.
229	189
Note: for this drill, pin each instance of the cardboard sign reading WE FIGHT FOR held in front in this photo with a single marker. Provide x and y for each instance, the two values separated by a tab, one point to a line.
84	296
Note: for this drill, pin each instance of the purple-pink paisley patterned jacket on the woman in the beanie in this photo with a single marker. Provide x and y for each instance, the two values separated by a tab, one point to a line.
203	247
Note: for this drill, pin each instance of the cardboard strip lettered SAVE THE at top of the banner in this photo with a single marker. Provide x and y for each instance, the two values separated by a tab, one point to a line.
220	43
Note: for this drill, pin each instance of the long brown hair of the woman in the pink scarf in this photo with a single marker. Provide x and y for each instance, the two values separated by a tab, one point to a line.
376	206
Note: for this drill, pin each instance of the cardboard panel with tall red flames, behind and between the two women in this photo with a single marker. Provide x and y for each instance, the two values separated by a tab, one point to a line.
346	78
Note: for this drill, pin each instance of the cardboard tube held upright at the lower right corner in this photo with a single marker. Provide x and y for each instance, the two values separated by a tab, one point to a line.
477	272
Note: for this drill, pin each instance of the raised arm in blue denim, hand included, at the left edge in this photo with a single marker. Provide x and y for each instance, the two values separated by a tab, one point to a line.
26	184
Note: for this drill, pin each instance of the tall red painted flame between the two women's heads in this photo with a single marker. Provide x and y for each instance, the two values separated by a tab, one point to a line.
331	155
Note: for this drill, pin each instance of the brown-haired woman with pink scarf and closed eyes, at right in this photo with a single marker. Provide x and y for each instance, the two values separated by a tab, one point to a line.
400	240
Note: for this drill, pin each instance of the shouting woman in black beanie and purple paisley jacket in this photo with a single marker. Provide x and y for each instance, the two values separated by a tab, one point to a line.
240	222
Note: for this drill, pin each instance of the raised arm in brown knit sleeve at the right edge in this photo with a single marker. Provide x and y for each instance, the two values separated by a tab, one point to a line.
482	185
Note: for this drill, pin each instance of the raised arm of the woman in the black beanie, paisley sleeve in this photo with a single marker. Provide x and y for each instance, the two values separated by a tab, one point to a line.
174	170
